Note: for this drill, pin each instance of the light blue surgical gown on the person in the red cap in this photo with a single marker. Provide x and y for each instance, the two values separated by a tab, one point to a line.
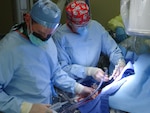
75	52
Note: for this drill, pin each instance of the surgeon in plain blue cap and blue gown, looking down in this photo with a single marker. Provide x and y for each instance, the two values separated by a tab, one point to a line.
29	67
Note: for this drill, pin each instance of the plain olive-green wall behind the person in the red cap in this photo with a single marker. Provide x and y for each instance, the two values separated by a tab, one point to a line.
102	10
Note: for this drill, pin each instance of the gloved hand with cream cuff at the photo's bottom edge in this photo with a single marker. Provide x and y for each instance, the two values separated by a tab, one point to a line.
35	108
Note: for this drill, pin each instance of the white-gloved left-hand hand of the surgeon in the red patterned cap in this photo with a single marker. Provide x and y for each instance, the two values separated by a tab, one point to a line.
97	73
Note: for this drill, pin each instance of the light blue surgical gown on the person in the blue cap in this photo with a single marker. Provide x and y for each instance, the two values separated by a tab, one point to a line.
28	73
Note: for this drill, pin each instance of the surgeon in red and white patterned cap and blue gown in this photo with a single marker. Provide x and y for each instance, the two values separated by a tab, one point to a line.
81	41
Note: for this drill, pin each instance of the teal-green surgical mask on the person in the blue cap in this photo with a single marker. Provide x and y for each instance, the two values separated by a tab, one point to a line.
36	41
